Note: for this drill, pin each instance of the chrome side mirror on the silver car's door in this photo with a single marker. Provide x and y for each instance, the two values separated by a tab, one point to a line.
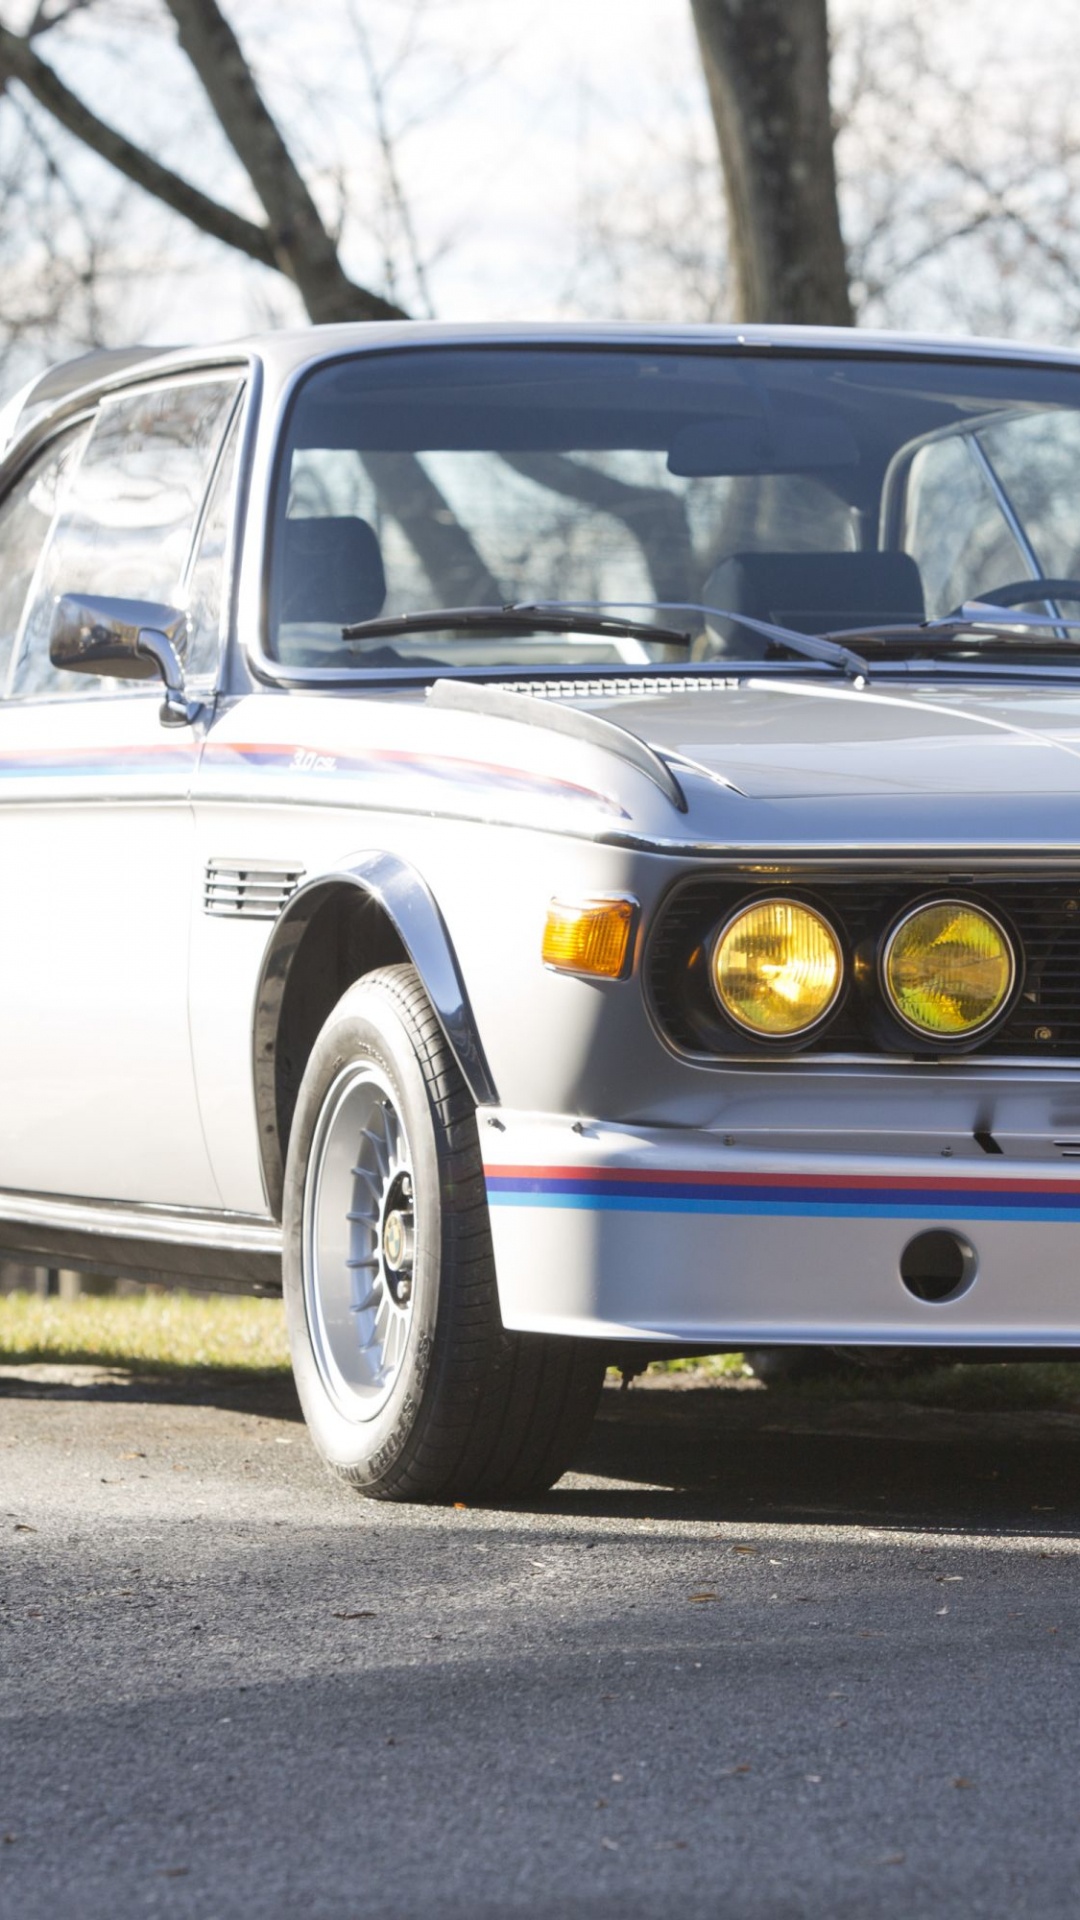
124	640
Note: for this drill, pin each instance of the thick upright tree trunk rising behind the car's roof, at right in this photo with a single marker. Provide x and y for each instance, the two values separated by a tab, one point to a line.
768	76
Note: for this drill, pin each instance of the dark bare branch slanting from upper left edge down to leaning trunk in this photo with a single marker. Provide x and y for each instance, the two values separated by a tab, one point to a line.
20	62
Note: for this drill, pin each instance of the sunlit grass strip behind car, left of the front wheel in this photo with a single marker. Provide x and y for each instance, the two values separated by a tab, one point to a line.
151	1333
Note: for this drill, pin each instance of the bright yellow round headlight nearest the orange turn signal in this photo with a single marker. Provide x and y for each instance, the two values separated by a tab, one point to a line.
777	969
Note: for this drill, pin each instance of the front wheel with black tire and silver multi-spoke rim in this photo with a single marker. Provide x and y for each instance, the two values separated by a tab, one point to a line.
408	1381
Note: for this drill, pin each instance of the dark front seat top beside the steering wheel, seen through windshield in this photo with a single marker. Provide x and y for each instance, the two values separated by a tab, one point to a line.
812	592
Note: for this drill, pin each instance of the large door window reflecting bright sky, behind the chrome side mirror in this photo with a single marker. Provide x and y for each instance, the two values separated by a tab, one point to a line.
128	521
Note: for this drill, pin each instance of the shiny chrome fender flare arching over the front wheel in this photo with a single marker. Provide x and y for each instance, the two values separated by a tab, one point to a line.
412	911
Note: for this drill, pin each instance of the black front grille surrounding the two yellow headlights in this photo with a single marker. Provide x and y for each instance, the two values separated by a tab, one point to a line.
1041	913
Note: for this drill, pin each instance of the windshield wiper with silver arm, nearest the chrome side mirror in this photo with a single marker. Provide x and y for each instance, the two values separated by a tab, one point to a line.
593	617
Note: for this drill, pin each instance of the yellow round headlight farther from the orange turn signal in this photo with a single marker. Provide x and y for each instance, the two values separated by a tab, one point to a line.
948	969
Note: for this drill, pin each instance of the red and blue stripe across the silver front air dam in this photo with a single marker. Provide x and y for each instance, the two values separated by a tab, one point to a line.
777	1195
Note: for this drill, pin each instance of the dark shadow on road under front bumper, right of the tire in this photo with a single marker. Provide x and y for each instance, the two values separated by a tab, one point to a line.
779	1456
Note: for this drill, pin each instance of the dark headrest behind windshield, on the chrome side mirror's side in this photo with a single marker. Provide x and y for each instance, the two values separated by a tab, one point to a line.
331	573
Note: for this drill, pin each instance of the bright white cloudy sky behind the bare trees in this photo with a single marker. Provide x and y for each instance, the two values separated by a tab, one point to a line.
518	128
